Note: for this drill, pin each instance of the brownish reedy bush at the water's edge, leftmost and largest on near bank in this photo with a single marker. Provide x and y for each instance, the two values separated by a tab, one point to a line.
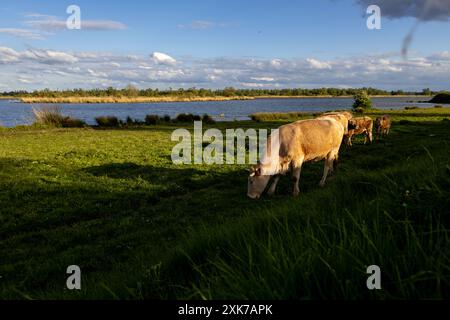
52	116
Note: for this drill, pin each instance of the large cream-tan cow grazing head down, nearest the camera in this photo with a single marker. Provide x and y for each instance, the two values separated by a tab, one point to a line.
292	145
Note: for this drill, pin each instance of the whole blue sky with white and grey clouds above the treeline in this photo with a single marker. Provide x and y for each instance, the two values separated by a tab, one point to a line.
218	43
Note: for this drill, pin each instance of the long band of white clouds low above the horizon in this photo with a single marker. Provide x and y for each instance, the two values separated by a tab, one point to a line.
40	68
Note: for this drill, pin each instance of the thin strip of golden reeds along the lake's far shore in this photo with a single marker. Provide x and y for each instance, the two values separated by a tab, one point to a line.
119	100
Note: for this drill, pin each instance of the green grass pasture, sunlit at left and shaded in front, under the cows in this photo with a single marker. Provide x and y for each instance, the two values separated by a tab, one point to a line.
112	202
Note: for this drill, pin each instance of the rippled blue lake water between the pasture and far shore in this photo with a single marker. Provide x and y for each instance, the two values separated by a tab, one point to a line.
14	113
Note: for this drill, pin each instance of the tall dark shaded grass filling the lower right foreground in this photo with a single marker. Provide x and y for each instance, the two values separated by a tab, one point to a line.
320	248
